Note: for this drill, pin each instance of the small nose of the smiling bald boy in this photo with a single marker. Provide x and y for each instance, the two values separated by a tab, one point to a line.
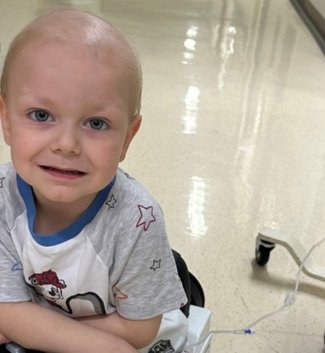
66	141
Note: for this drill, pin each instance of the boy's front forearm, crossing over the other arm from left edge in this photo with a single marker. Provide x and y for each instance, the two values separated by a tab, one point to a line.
33	326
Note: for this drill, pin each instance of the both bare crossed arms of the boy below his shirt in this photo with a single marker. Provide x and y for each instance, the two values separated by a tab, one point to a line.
33	326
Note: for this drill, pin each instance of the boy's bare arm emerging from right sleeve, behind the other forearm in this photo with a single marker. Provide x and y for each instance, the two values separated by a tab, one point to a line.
139	333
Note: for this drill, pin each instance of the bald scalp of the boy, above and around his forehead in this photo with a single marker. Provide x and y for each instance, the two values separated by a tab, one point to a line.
78	28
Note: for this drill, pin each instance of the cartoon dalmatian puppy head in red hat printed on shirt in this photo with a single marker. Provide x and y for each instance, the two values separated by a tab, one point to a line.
48	285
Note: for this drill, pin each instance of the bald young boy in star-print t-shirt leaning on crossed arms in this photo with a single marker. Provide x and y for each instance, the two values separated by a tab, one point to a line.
85	264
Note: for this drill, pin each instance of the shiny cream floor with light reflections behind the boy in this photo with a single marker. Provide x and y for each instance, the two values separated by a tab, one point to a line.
233	139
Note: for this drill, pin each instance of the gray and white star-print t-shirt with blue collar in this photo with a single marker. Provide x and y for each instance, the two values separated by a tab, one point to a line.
115	257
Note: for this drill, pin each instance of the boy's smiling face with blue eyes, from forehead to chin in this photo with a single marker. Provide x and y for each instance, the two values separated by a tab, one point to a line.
66	117
